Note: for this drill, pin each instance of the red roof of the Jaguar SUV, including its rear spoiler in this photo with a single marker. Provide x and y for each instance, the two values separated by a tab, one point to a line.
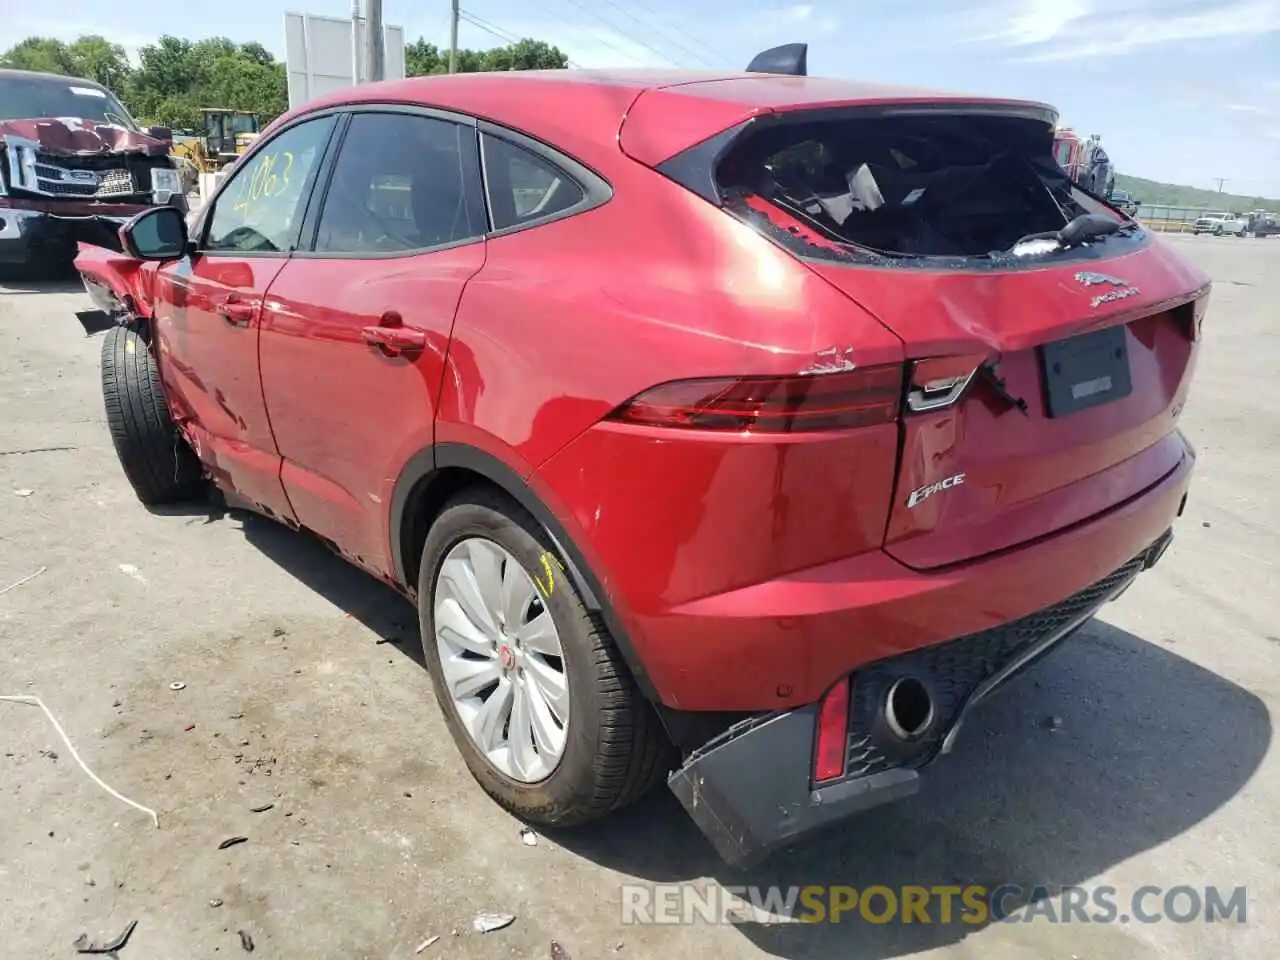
584	112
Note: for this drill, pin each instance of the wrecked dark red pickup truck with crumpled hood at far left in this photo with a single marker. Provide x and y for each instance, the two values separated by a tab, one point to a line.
74	167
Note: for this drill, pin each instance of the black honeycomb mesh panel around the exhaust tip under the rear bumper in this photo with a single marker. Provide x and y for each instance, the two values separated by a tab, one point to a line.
956	669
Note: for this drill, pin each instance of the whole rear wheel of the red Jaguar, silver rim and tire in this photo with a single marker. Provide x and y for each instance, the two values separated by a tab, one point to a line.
532	685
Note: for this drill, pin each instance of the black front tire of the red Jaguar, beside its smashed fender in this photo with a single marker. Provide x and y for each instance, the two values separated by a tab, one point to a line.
157	460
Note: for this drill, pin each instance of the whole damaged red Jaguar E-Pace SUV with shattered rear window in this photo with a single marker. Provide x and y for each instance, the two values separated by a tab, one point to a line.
739	432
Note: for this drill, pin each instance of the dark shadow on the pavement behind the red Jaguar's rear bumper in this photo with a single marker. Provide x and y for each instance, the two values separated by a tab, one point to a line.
1109	748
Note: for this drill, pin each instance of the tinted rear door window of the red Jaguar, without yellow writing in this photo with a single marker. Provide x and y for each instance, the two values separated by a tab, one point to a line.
401	184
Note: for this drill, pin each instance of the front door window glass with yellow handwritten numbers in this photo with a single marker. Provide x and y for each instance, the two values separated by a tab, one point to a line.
262	207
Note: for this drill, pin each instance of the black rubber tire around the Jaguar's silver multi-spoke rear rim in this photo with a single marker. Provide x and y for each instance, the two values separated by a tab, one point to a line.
616	748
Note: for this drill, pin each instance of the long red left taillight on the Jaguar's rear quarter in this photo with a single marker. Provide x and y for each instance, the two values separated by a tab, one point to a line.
771	404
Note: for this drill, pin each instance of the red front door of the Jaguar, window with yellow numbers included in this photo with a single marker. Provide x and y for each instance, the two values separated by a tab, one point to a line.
209	310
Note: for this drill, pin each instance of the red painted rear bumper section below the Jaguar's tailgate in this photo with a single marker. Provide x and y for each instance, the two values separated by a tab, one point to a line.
783	643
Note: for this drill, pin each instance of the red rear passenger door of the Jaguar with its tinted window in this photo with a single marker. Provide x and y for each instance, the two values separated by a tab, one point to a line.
356	331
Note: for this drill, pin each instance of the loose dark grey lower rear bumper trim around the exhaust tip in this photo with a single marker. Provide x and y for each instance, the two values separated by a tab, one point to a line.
751	790
